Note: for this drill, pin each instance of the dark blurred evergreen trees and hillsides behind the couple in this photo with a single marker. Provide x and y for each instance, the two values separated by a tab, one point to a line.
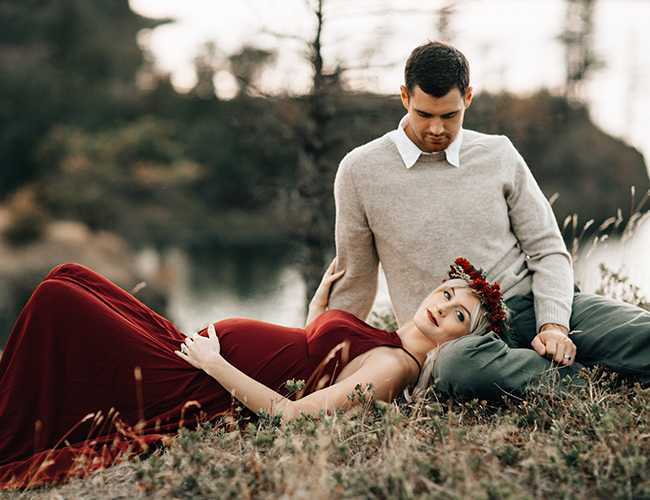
68	97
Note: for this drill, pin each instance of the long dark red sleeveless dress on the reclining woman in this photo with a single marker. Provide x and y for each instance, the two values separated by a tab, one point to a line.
70	401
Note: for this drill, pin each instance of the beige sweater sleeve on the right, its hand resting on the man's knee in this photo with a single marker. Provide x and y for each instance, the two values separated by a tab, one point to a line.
534	225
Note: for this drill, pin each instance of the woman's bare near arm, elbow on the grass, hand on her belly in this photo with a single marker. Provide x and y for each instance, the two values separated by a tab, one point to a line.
386	372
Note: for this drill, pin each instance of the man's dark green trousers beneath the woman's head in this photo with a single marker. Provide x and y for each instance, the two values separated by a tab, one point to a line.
607	332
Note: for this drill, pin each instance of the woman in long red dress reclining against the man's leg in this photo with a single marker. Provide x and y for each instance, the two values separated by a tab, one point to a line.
89	373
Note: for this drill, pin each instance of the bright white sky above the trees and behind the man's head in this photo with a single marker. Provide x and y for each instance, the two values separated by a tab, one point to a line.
511	45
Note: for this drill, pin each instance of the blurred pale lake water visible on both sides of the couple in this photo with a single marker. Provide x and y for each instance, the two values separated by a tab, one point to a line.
265	283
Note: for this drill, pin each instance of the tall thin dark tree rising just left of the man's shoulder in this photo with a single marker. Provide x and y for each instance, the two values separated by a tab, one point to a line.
331	122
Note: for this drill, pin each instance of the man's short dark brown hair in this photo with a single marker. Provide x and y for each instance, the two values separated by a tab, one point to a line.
436	68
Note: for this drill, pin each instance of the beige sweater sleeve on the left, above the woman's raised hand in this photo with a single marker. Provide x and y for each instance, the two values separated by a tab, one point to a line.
355	249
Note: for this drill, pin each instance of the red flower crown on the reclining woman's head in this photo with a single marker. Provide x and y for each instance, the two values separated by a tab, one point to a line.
489	295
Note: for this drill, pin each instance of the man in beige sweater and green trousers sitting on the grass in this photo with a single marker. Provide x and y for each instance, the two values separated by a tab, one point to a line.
430	191
